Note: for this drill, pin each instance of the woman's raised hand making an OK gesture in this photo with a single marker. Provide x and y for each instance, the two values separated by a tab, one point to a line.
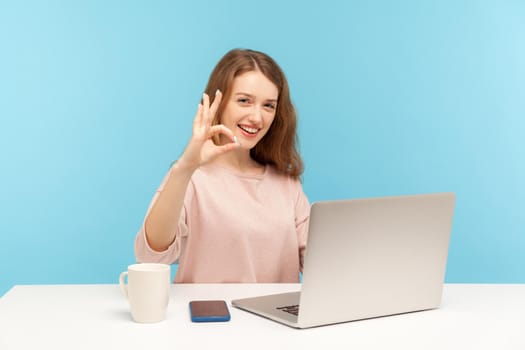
201	148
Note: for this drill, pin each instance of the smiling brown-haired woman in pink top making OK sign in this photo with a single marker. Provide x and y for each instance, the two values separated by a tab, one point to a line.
232	208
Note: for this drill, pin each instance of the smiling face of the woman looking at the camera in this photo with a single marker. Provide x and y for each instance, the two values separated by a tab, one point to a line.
250	110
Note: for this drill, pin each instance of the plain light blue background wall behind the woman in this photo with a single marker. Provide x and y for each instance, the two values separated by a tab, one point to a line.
394	97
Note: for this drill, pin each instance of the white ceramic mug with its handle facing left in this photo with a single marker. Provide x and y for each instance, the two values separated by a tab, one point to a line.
147	291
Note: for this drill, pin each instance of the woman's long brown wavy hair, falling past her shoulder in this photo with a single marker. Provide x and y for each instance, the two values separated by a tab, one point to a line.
279	146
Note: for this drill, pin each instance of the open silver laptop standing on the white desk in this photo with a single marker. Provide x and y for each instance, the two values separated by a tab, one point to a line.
367	258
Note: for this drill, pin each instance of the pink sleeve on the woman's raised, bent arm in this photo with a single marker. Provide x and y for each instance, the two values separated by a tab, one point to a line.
144	253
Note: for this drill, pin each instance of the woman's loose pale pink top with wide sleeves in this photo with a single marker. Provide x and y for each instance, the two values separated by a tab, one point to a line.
236	228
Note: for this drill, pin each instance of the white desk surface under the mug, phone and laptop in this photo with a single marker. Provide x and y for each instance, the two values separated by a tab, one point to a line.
97	317
